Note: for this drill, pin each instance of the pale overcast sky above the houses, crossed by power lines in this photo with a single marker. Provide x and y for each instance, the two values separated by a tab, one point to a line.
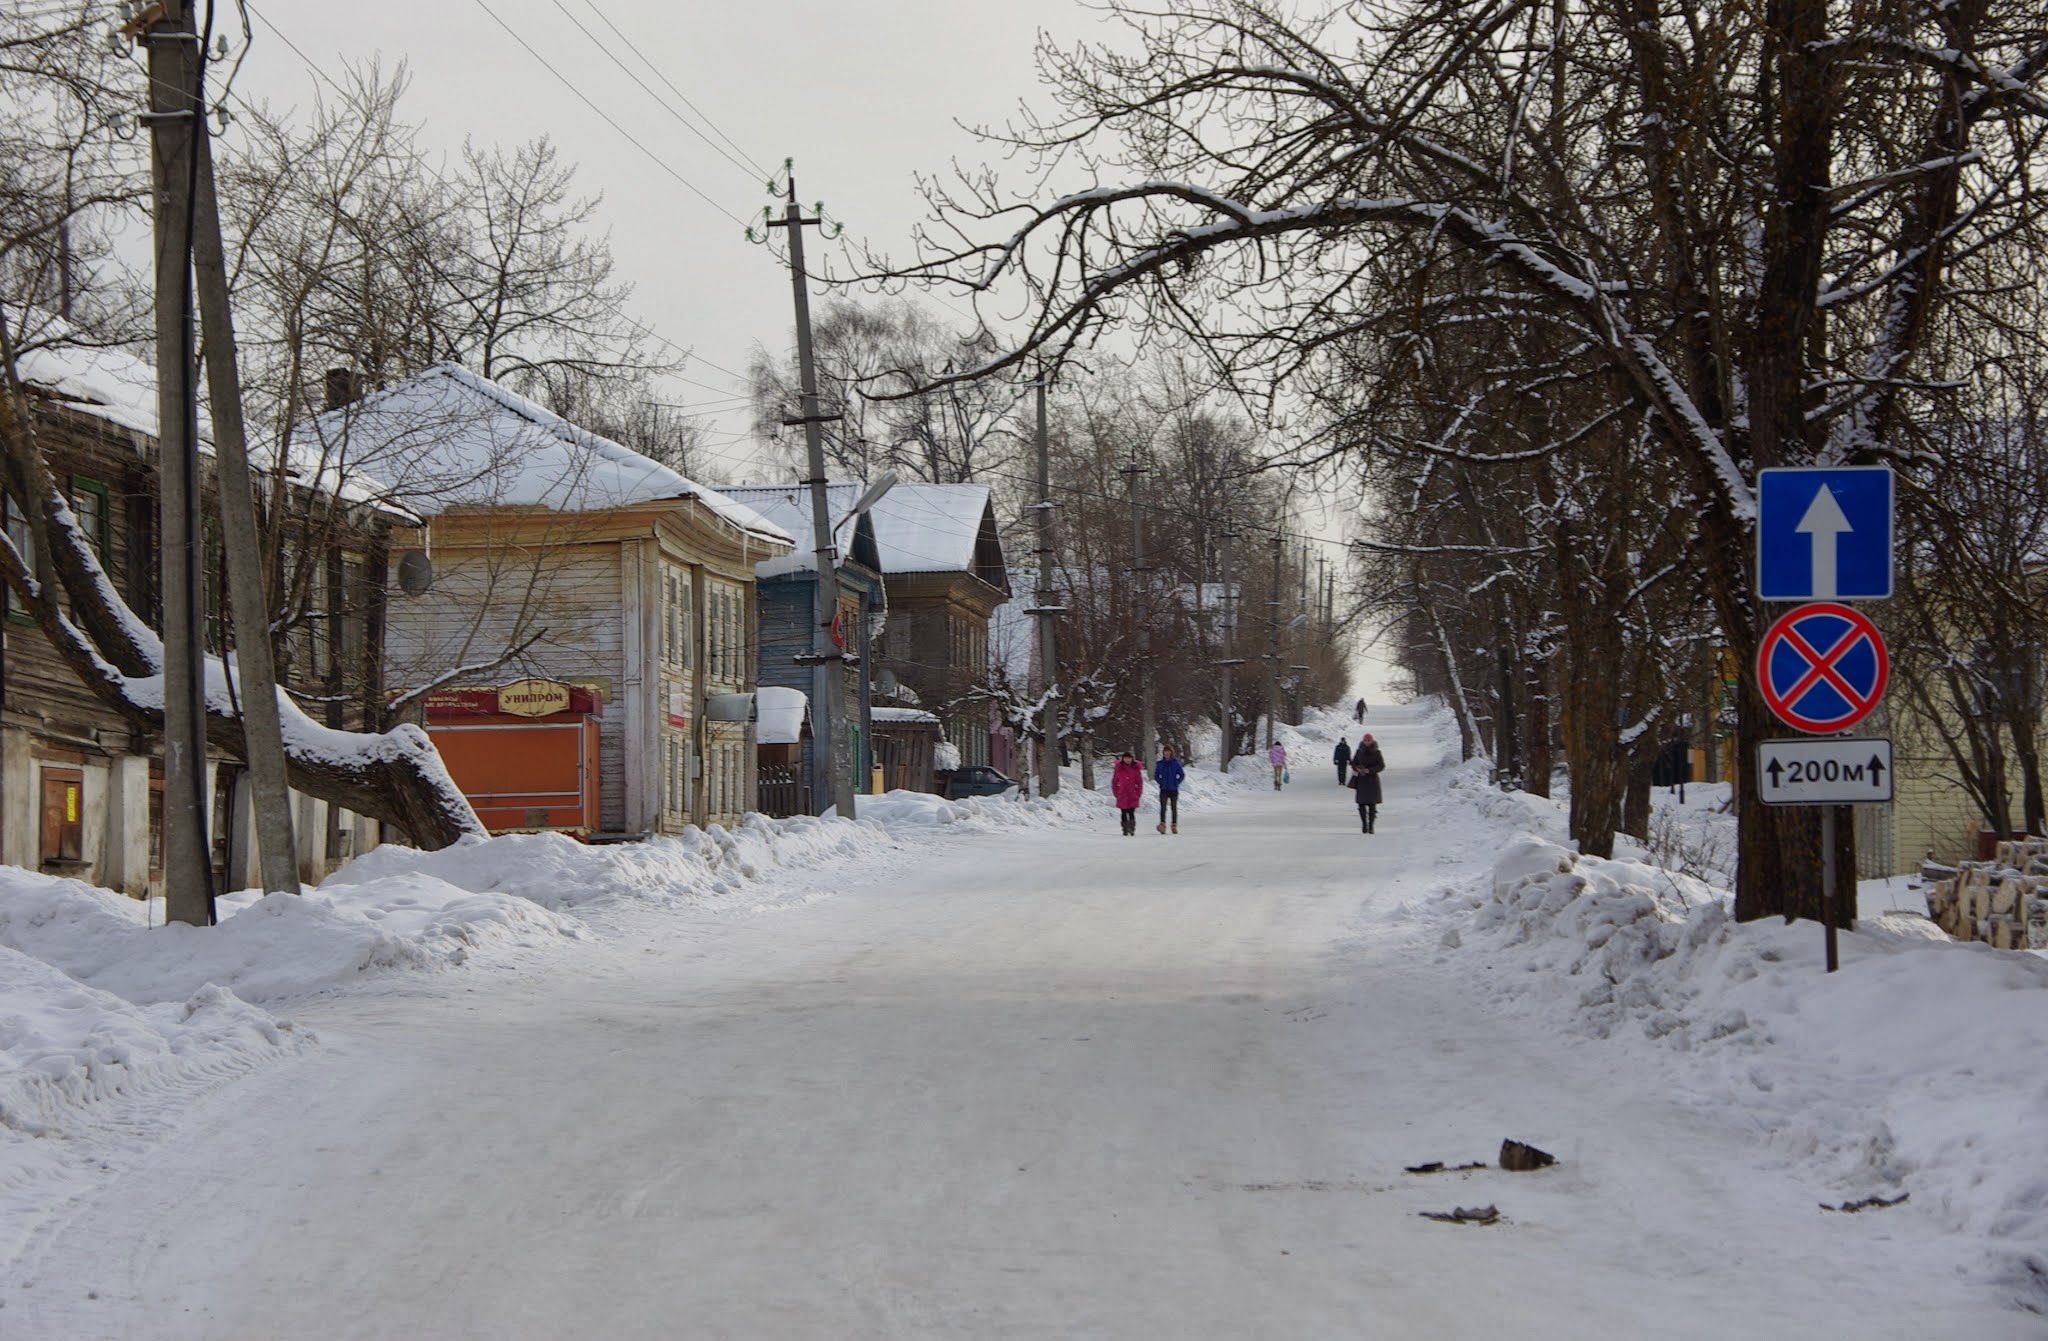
861	93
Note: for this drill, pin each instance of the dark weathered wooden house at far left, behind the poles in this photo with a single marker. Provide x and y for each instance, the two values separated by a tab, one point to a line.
81	789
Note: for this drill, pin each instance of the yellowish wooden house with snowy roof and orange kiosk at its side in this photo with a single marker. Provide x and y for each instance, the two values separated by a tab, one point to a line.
605	593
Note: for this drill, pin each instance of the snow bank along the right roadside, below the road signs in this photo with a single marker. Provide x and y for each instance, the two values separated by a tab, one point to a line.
1910	1072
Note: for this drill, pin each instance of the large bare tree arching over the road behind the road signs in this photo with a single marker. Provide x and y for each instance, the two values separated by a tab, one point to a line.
1746	222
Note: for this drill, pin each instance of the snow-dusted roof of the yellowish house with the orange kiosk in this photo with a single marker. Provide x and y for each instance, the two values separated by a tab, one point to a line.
454	439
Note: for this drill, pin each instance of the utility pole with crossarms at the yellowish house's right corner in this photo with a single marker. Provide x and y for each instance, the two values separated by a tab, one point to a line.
828	677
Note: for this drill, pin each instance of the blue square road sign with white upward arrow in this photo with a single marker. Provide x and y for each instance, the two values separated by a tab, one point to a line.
1826	533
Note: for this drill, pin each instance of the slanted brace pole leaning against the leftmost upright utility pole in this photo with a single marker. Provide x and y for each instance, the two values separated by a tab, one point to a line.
261	730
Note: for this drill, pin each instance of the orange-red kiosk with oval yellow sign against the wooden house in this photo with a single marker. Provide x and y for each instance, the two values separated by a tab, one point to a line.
525	754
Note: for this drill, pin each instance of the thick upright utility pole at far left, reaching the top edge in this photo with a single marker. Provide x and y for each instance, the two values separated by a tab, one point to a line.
173	120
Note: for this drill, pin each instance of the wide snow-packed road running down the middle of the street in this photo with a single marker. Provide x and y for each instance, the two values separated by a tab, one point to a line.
1052	1084
